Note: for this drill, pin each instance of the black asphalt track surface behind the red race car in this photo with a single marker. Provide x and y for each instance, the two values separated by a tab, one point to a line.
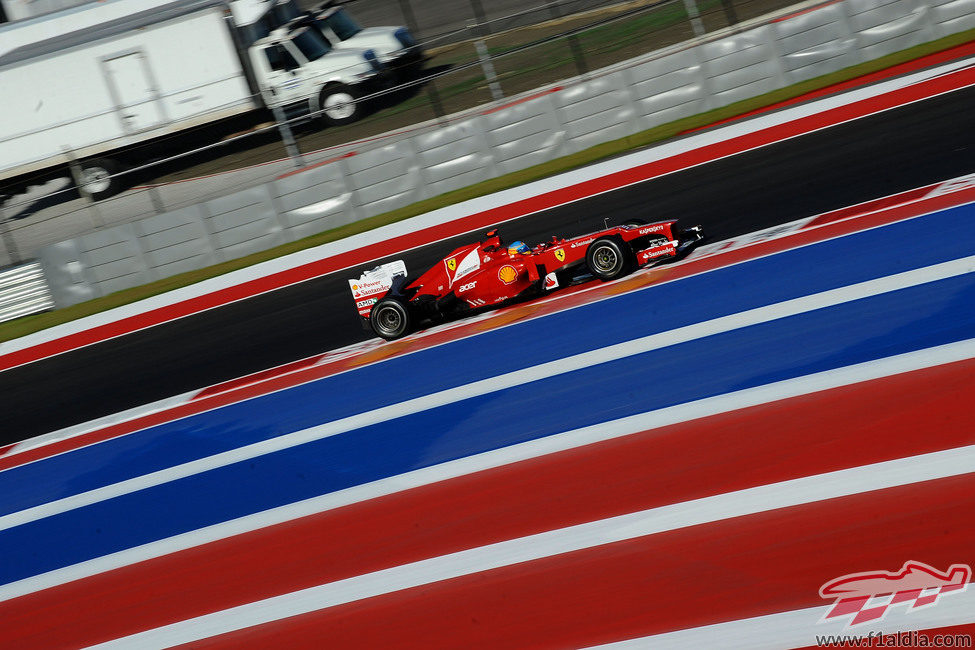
919	144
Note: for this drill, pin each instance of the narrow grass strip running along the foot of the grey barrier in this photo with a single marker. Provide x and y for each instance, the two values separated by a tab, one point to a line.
29	324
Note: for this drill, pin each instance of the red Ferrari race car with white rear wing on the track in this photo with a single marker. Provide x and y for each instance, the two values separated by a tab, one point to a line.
489	273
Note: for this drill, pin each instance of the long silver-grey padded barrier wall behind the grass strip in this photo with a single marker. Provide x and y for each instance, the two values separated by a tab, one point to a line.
610	104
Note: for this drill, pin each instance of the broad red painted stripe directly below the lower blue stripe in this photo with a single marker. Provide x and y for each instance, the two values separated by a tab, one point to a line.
788	439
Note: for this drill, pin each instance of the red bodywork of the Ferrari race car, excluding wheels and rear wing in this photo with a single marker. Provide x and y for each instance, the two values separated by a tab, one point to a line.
485	273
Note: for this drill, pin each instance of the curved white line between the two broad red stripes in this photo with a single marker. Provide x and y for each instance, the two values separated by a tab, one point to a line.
832	485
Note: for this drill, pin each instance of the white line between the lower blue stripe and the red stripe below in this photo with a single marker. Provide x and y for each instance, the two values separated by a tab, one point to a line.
500	457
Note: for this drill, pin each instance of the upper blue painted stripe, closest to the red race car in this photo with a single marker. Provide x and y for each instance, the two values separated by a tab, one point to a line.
879	252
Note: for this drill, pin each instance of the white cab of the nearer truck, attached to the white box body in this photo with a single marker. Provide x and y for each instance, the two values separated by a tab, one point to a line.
297	66
